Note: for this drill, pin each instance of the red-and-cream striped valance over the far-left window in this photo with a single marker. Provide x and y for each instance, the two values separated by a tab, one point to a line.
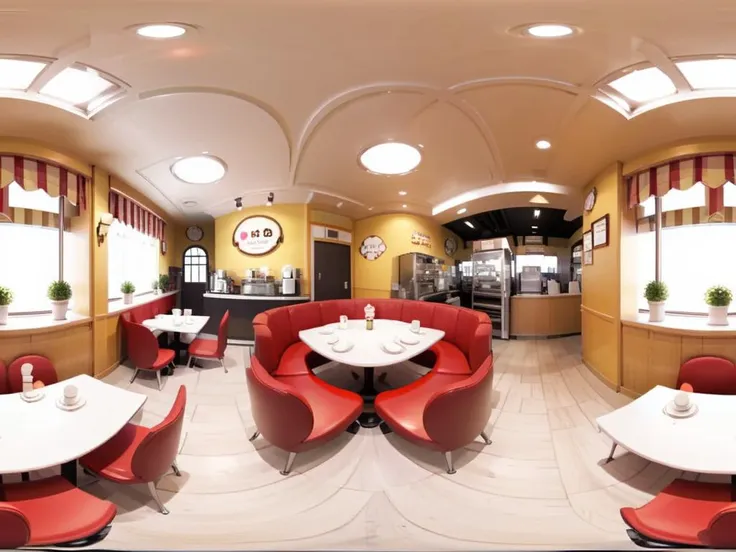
34	174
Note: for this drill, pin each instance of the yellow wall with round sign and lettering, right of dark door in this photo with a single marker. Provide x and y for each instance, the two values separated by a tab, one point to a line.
373	278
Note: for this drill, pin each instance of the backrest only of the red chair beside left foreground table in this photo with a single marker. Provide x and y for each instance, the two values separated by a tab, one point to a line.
155	454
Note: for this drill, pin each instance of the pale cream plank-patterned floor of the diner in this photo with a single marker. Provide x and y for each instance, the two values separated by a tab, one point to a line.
541	484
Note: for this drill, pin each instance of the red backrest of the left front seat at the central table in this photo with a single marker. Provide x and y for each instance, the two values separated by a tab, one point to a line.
281	414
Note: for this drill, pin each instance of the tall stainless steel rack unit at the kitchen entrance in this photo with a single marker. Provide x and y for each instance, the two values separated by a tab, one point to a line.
491	288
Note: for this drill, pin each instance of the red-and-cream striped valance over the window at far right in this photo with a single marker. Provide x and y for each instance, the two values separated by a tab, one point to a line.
713	170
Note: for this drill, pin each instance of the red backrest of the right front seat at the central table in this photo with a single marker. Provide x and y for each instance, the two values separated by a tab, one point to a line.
455	416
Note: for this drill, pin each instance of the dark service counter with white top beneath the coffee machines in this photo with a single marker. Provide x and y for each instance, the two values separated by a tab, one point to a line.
243	309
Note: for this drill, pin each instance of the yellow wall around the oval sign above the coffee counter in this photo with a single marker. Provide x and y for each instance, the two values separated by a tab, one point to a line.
293	251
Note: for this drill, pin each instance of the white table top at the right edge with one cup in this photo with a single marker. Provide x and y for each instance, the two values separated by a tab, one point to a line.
703	443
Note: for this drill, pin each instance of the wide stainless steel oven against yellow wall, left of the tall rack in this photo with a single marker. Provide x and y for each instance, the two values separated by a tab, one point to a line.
419	276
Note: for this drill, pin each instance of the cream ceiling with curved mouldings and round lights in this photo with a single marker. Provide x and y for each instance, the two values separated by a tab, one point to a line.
288	92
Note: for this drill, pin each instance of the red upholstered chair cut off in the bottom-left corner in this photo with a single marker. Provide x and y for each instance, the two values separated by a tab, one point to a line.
50	512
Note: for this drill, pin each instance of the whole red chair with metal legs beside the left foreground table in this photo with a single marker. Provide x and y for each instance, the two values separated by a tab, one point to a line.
140	454
